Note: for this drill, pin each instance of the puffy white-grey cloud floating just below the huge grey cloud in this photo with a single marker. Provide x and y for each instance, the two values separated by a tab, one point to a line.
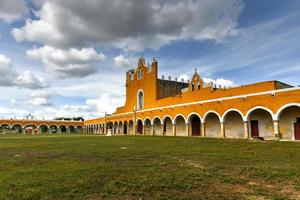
67	63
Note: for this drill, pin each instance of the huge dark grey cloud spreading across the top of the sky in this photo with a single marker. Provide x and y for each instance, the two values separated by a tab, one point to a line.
130	25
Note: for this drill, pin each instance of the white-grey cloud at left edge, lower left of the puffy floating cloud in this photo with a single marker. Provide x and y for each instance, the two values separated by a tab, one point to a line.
10	77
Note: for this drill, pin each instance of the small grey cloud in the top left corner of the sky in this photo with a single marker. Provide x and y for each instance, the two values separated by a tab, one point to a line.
11	10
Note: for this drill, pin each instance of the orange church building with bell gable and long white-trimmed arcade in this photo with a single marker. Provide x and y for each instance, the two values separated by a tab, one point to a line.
165	107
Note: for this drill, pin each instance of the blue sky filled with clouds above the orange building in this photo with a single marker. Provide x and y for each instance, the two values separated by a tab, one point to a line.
69	59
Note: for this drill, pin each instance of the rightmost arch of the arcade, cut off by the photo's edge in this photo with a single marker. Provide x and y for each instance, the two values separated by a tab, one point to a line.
289	121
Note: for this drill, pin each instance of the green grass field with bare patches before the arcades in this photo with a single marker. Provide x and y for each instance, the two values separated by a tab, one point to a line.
140	167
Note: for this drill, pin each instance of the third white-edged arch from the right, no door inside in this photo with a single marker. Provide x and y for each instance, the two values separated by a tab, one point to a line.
234	123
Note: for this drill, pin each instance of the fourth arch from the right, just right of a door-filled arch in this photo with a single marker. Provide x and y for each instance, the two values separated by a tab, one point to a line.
212	124
